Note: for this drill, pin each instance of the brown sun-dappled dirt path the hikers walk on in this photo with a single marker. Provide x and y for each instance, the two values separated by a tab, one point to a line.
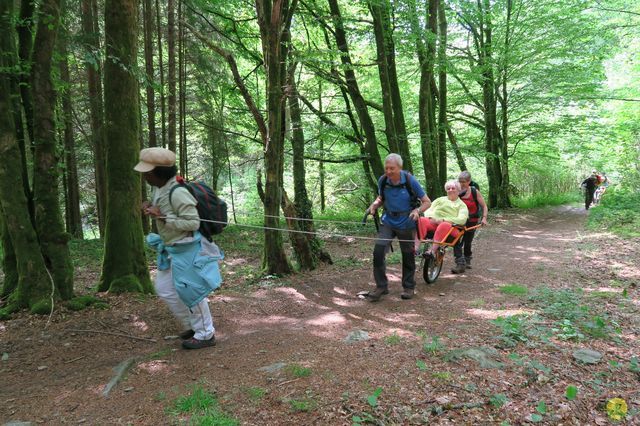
297	328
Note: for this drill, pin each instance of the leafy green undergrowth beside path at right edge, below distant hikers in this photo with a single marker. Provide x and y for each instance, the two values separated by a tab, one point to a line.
618	212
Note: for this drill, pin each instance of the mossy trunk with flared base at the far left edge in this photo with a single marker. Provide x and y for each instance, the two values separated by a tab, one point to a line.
33	286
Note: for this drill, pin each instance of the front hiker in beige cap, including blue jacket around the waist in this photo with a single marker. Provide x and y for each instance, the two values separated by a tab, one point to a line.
183	280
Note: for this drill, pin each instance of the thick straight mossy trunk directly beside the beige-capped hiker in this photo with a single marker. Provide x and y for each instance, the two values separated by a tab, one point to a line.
124	266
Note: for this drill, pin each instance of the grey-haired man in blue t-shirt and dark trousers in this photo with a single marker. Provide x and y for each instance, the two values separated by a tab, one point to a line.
397	190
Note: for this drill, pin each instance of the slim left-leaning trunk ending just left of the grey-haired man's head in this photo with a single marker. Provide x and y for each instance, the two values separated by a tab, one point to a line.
359	104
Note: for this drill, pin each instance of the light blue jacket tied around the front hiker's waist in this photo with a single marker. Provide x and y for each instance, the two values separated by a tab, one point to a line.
193	263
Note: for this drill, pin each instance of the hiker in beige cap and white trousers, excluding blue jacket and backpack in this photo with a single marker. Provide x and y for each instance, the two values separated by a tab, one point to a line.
177	220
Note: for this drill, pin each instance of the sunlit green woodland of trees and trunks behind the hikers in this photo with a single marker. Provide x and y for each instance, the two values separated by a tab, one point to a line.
291	106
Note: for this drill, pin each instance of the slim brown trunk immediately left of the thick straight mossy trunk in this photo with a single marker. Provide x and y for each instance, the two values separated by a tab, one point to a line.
90	29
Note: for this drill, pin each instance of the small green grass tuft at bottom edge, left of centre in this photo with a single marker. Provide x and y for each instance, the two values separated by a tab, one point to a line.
202	407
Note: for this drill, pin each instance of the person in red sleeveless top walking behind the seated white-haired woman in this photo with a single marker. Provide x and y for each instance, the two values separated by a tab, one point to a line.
478	211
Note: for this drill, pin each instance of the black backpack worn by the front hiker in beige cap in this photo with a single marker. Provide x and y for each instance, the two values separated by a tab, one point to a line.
209	206
